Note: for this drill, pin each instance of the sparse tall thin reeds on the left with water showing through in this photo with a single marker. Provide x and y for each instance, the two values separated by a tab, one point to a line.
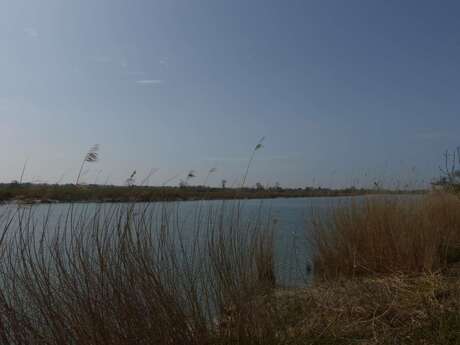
133	275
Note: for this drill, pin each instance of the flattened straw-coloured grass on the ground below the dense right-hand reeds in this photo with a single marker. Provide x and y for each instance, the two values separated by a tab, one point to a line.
391	310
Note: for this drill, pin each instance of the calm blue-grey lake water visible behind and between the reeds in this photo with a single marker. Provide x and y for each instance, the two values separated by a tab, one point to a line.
291	218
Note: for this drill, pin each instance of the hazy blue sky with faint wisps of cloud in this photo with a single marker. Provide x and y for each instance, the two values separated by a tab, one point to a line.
344	92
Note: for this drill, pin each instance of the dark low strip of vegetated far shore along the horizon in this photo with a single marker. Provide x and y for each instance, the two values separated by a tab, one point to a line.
54	194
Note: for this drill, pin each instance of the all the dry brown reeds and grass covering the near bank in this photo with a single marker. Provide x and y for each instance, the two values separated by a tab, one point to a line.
134	275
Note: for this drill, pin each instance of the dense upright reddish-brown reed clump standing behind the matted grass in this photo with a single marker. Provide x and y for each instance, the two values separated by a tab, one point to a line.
387	235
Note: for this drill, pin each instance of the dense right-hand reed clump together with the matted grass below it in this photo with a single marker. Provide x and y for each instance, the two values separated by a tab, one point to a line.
386	273
